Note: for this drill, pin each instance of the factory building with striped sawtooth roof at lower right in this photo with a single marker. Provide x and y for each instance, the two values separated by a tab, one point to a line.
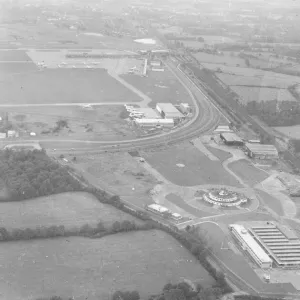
281	243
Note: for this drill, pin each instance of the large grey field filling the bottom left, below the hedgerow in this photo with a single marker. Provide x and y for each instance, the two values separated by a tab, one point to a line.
96	268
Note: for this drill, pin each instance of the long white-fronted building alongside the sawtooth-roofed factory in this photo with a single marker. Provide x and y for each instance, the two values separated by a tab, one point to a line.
250	245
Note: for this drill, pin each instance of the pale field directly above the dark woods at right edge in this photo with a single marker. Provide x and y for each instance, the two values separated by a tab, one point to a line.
259	94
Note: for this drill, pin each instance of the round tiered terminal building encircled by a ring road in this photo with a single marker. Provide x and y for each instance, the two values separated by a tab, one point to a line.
223	197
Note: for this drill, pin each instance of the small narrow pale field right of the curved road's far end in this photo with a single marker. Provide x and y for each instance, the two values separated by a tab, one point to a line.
220	59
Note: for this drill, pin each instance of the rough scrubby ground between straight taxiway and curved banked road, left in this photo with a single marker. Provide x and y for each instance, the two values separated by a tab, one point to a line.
97	123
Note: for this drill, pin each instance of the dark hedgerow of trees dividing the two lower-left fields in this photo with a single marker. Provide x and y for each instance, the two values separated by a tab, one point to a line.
85	230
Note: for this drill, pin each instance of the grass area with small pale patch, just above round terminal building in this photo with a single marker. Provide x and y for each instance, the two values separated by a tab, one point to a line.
198	168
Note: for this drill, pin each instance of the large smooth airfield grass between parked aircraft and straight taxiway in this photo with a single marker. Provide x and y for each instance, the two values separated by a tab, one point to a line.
64	85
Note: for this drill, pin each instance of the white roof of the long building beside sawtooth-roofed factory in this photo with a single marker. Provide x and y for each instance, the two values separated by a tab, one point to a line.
251	243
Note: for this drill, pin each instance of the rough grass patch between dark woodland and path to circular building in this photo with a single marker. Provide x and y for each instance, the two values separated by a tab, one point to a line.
118	172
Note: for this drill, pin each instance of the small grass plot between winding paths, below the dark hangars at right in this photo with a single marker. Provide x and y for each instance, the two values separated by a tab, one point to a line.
247	172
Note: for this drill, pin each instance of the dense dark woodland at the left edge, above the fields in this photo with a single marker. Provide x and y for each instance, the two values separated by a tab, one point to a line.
29	174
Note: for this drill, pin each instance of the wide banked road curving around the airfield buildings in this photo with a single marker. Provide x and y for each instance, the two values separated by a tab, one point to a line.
206	117
